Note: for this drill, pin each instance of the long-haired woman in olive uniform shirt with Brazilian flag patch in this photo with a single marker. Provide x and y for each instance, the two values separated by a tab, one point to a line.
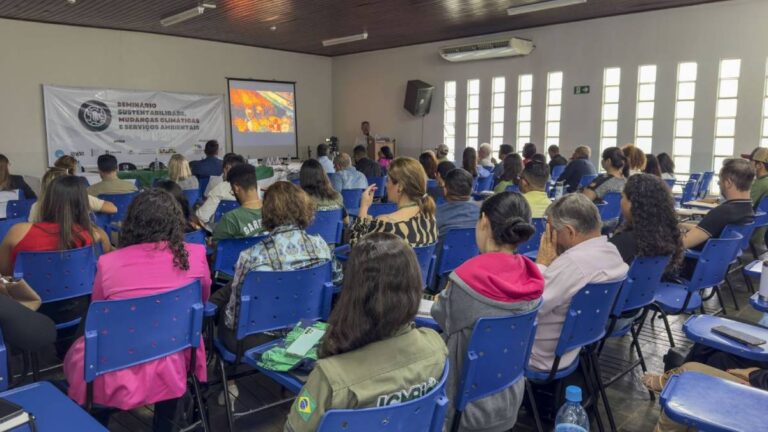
372	320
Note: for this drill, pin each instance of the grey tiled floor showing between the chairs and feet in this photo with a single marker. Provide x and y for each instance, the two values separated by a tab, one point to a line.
630	402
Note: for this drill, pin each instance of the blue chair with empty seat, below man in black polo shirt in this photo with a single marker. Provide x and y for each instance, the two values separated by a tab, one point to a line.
711	268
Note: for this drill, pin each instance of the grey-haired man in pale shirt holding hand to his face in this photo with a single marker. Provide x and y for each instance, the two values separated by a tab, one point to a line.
572	254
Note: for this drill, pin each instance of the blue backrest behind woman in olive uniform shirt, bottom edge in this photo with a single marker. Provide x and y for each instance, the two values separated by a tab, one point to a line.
426	413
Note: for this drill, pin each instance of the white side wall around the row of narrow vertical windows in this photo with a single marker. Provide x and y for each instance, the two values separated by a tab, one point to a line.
371	86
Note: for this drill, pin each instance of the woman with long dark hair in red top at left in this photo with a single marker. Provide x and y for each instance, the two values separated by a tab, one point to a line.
64	224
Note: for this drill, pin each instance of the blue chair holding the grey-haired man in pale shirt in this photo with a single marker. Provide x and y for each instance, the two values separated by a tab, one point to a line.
585	325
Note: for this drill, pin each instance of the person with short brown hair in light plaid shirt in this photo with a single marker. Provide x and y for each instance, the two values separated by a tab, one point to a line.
287	212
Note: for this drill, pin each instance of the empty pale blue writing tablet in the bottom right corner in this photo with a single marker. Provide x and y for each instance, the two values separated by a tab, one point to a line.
727	407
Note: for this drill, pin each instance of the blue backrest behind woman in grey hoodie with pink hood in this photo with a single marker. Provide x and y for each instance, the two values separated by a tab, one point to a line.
496	356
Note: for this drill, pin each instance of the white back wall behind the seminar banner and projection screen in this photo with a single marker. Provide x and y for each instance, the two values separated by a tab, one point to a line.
33	54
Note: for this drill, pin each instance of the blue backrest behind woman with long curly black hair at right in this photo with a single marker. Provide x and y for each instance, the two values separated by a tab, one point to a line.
639	288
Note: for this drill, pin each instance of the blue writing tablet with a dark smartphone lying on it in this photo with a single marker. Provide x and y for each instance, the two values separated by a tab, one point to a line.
699	329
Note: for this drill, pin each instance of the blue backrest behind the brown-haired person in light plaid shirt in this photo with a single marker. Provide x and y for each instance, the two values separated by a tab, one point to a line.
272	300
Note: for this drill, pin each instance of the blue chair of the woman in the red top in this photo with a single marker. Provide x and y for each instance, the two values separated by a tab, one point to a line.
58	275
